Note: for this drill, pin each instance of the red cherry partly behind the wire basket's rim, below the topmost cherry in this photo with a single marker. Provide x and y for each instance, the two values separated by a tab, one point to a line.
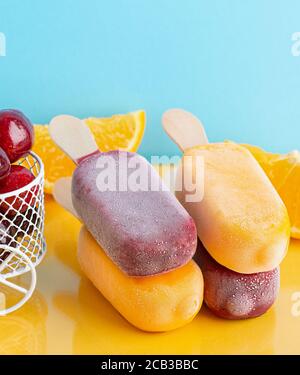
19	177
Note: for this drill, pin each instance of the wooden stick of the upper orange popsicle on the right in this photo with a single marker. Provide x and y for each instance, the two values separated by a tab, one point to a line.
185	129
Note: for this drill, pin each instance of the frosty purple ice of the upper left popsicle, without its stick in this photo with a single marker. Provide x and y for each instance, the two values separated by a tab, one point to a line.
143	232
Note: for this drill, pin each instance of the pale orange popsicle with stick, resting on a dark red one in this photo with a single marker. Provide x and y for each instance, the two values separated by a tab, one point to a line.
241	220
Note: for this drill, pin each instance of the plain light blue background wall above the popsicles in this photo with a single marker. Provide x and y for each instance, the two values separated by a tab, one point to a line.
228	61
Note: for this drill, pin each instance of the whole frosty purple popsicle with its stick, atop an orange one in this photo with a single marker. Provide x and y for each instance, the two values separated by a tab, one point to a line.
139	223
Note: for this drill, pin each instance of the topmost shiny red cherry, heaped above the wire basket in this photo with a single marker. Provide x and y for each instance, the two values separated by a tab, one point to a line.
16	134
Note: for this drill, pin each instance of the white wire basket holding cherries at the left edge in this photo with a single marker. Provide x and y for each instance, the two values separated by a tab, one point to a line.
22	244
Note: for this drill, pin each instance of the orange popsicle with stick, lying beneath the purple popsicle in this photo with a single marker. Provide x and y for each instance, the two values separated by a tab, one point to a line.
152	303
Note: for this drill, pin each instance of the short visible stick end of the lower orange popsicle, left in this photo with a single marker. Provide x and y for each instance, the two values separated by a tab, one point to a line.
62	193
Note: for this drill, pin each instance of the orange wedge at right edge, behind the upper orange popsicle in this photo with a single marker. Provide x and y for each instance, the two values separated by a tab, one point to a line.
284	172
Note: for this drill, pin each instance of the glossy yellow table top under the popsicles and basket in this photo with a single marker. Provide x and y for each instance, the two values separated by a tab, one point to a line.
68	315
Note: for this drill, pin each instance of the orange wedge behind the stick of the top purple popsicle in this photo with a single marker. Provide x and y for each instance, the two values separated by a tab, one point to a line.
119	132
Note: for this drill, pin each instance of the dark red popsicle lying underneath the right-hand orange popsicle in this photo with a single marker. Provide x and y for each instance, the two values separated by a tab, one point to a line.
233	295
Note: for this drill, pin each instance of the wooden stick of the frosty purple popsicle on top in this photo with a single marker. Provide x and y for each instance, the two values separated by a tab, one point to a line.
73	136
